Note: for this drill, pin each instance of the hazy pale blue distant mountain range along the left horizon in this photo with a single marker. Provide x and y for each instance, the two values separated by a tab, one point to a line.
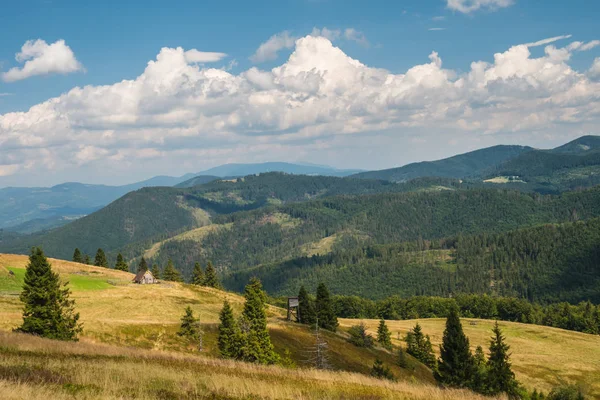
27	210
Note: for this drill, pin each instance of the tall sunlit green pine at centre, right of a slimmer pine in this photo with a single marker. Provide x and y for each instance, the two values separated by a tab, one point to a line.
258	347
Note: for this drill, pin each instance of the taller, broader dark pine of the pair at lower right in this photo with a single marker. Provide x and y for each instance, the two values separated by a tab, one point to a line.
456	366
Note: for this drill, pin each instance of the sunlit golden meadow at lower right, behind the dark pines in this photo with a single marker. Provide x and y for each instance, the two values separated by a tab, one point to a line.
542	356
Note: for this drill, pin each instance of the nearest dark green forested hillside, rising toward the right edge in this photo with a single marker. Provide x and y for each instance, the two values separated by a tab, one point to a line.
549	263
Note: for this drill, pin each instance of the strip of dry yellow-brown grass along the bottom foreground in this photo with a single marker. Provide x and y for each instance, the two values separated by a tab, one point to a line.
36	368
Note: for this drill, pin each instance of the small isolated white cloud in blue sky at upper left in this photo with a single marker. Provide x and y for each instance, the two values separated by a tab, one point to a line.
41	58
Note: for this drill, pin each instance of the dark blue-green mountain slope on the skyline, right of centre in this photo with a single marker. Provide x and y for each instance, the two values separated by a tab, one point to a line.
460	166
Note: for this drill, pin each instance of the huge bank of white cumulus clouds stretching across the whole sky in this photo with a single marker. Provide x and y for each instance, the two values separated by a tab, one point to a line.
319	104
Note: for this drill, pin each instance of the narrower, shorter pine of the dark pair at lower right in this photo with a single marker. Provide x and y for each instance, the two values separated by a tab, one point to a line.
500	379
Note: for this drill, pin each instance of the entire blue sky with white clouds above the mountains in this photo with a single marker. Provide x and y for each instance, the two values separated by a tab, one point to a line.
115	92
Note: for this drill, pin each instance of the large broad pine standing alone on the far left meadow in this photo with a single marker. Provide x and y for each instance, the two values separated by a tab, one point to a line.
48	310
